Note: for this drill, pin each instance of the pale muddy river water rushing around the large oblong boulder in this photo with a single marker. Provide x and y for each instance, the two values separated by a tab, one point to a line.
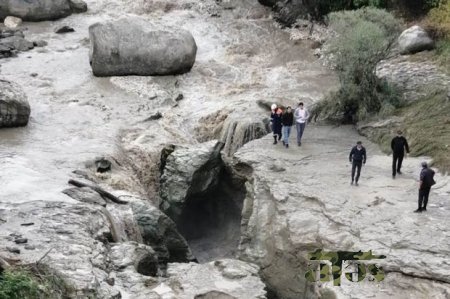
243	56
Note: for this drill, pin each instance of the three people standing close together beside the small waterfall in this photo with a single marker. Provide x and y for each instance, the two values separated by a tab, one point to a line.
282	123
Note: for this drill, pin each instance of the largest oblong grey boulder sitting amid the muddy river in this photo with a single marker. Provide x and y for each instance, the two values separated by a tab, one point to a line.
133	46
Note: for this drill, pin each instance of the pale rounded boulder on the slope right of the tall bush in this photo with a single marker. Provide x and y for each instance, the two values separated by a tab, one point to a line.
414	39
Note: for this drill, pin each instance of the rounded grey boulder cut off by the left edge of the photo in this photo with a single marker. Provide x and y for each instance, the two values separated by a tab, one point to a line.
14	107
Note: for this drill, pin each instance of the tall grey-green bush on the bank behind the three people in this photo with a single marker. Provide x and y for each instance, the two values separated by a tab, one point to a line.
364	38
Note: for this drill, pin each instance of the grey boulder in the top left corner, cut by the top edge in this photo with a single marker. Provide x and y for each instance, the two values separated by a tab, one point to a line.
36	10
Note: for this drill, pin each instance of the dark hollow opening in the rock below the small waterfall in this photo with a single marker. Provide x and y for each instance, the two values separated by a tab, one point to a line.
211	221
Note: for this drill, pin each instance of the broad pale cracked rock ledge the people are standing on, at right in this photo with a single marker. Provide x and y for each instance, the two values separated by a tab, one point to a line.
297	203
